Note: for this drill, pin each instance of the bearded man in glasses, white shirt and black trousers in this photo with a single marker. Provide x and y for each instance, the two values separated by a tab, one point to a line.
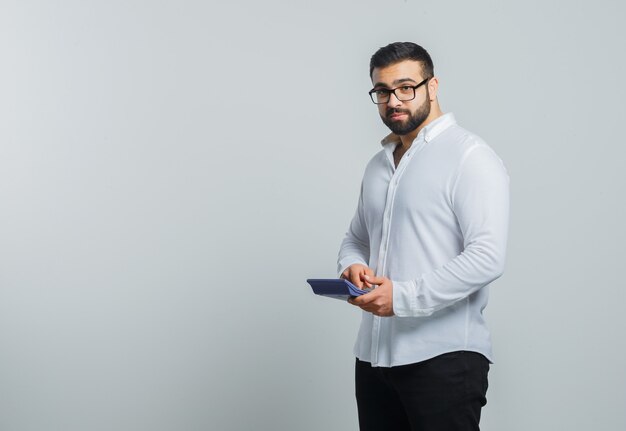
429	235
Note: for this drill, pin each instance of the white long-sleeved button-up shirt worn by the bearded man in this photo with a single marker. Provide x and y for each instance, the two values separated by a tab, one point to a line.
437	227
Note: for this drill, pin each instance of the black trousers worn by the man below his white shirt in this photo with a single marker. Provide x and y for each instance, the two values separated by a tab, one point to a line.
445	393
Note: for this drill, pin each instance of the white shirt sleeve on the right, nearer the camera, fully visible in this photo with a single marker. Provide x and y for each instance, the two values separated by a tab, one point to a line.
480	200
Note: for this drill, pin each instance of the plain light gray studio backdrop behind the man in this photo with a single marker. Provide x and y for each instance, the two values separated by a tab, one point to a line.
172	172
